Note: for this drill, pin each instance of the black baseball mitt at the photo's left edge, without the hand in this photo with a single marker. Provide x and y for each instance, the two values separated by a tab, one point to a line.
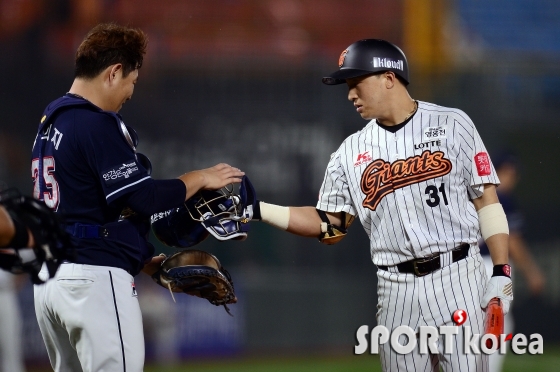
52	243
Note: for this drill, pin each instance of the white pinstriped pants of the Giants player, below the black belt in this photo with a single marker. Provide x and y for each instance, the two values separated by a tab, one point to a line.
404	299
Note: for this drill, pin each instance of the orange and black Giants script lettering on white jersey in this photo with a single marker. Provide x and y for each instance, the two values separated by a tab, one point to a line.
381	178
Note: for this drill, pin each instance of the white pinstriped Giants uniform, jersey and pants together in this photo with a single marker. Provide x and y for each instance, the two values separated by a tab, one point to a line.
411	185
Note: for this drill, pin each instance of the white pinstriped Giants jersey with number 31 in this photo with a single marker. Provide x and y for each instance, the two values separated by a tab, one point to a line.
411	188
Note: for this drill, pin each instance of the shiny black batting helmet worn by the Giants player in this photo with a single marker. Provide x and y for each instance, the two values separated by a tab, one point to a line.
369	56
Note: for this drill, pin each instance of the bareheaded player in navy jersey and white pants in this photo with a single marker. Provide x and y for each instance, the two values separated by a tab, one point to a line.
86	168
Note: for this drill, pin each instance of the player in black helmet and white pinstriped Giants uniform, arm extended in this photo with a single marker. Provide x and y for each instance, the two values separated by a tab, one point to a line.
420	180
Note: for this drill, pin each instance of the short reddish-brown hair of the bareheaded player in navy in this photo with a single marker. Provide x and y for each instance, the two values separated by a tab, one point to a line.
107	44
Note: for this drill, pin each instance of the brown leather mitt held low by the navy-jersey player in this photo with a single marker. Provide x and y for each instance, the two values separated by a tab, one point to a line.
197	273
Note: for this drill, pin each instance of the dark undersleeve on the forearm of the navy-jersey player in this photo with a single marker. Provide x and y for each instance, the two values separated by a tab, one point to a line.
157	196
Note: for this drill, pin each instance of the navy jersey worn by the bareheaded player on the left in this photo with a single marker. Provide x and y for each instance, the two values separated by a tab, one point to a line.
83	164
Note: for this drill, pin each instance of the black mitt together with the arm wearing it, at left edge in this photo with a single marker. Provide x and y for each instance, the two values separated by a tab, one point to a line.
30	235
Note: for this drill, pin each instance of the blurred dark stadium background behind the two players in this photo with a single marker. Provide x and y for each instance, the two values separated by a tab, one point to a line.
239	81
